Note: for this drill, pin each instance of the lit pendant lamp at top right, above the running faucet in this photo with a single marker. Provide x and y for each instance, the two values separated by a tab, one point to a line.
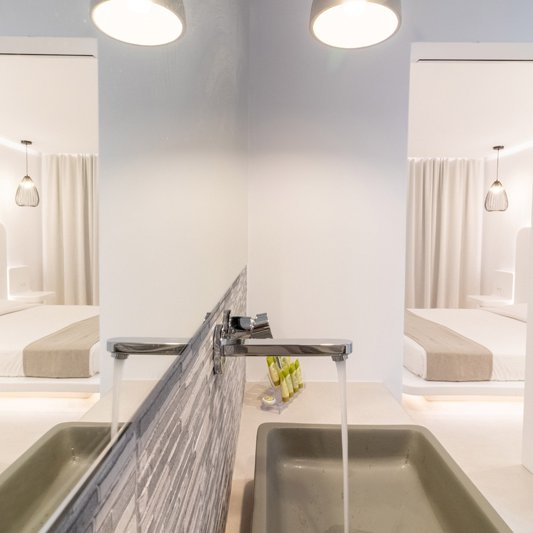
354	23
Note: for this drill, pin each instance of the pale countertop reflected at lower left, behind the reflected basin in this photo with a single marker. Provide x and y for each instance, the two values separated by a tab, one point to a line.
25	418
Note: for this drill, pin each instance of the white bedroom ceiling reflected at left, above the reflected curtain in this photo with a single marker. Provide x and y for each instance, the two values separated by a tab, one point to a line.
51	101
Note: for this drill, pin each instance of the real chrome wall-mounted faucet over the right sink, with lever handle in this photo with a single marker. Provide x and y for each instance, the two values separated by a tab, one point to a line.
251	337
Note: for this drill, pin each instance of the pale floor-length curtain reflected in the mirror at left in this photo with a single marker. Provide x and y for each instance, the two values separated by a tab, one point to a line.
70	228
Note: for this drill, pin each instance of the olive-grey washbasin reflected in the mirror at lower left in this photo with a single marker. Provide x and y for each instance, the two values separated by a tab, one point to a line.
39	480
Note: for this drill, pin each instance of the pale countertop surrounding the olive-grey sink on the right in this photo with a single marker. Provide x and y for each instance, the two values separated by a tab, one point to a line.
484	437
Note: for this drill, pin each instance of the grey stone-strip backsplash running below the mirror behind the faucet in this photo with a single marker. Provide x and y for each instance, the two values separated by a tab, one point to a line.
171	469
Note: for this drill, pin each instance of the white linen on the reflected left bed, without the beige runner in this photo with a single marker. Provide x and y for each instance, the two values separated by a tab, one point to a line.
30	323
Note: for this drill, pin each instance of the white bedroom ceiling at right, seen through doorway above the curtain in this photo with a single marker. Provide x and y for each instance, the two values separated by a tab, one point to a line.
463	109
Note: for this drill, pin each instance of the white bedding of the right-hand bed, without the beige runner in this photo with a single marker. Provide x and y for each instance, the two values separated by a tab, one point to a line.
505	337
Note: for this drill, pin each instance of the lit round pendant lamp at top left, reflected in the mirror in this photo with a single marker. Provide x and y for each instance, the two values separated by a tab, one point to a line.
143	22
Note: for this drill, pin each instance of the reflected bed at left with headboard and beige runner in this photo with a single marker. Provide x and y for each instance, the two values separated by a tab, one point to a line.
46	348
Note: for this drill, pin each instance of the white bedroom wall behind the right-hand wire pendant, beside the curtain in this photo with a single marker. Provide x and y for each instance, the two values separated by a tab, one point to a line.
500	228
